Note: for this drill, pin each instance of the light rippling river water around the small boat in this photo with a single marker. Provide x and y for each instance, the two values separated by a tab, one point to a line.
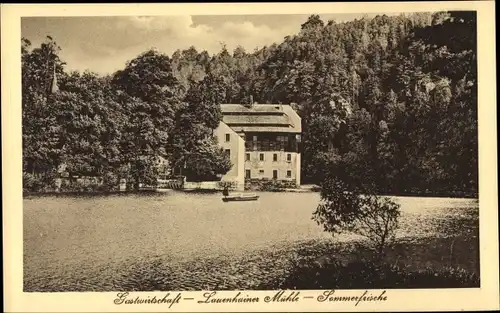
98	243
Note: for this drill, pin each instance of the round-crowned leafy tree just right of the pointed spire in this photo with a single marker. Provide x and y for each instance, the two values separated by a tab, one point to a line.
92	121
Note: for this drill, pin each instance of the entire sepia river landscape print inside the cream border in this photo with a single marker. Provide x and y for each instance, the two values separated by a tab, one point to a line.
250	152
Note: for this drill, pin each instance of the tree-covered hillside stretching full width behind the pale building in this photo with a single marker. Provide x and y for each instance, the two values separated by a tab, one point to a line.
389	103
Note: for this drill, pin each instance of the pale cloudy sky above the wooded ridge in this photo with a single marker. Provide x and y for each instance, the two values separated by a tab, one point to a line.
105	44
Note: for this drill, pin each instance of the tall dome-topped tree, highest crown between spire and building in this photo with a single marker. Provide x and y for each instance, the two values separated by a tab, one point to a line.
150	99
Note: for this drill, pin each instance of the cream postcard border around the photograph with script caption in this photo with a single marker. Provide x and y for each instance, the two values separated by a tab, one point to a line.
486	297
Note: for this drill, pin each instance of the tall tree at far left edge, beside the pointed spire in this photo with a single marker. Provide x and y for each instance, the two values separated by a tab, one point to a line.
41	147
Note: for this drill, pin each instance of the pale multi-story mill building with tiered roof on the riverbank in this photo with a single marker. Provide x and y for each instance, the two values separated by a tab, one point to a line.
262	141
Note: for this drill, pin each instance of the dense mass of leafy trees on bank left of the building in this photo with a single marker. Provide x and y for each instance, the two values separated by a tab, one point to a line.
116	127
